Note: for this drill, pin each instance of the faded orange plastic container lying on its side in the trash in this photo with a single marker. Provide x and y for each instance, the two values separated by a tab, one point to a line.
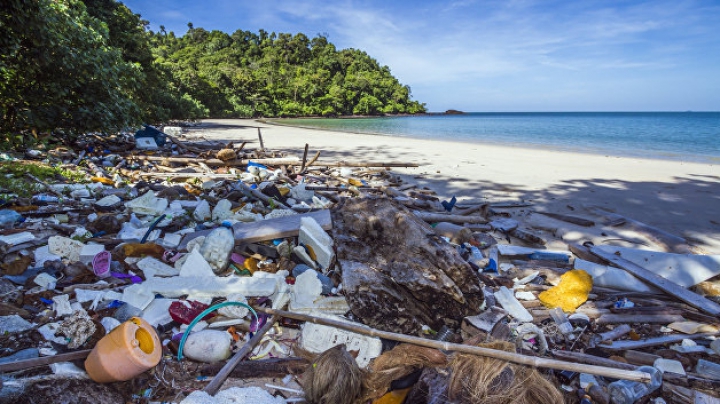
128	350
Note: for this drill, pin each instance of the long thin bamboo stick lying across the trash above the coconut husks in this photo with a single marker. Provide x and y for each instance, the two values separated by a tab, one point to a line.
473	350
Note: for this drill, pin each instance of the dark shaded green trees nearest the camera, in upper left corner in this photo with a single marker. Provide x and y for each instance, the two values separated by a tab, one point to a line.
58	70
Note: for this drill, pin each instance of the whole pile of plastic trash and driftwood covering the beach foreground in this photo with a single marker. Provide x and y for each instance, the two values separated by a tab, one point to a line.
186	270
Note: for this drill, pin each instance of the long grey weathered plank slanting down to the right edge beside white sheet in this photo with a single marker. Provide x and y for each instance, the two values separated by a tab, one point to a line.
673	289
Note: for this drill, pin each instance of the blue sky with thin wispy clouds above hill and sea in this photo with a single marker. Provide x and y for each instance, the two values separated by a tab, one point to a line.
511	55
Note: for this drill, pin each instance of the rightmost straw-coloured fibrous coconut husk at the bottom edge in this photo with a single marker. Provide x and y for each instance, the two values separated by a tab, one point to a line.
478	379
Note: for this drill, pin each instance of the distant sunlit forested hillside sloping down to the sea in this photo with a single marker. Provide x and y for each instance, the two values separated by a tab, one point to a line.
267	74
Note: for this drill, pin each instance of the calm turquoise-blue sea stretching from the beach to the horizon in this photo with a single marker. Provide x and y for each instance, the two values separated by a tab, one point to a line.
683	136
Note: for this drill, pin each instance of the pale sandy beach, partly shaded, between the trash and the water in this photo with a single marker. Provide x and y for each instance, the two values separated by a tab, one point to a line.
682	198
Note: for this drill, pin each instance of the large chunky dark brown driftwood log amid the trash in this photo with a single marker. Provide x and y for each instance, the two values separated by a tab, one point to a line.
397	274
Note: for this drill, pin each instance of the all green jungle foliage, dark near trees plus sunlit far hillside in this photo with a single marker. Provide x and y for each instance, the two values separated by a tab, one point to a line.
93	65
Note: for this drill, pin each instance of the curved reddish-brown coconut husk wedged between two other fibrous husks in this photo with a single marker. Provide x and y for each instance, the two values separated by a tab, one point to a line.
397	363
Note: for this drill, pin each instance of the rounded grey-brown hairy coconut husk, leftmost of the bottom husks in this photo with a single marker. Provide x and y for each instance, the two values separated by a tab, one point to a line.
333	378
